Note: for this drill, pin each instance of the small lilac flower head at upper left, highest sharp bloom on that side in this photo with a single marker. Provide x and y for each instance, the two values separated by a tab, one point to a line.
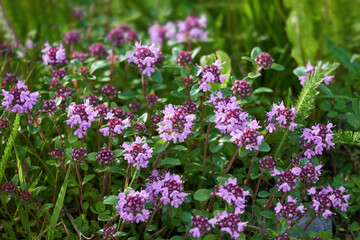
54	56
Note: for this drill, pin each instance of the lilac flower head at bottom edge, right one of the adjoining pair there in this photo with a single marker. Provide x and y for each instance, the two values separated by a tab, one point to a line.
229	223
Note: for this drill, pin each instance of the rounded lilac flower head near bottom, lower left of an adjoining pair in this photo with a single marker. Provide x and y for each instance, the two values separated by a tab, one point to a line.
131	207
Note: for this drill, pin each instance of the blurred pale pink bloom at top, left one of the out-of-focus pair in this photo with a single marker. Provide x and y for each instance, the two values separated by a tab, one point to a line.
159	33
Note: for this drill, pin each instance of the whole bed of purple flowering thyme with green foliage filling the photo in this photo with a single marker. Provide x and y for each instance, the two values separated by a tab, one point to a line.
113	130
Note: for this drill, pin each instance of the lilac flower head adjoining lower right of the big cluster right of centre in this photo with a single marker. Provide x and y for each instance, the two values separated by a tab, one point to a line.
249	136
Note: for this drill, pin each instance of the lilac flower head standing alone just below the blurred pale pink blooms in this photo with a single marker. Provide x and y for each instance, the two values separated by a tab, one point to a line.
145	58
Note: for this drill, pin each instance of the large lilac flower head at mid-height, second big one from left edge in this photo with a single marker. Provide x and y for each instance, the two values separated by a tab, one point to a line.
80	118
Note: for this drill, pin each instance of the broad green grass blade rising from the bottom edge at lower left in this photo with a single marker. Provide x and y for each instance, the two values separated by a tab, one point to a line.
58	207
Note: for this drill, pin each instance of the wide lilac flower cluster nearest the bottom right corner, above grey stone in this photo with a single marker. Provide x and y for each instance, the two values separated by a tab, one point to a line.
327	197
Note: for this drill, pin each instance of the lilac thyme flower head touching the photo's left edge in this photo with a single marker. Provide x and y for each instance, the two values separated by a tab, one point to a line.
19	99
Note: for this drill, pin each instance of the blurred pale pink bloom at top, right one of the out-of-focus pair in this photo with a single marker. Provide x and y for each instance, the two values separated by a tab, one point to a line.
193	27
